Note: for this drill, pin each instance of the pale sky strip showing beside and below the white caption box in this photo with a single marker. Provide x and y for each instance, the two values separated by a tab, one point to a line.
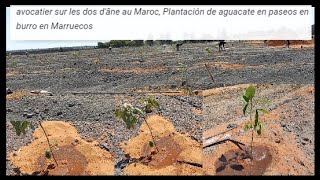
23	45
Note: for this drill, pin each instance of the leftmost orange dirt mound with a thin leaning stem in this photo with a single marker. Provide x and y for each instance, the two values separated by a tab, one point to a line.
74	155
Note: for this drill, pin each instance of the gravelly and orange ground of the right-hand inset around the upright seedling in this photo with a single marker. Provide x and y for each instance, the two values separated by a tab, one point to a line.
288	133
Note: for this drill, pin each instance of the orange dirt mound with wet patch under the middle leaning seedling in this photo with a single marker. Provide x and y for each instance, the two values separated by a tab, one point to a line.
178	153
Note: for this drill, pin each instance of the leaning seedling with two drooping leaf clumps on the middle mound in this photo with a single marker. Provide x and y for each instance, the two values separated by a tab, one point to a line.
130	114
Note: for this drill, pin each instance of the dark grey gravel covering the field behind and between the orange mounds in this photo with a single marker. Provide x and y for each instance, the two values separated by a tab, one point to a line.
93	114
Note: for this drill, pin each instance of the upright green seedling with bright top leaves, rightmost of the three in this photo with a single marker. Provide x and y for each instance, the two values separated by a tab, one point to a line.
253	125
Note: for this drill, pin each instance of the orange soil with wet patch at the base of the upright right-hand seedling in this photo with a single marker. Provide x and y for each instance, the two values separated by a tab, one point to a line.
286	157
